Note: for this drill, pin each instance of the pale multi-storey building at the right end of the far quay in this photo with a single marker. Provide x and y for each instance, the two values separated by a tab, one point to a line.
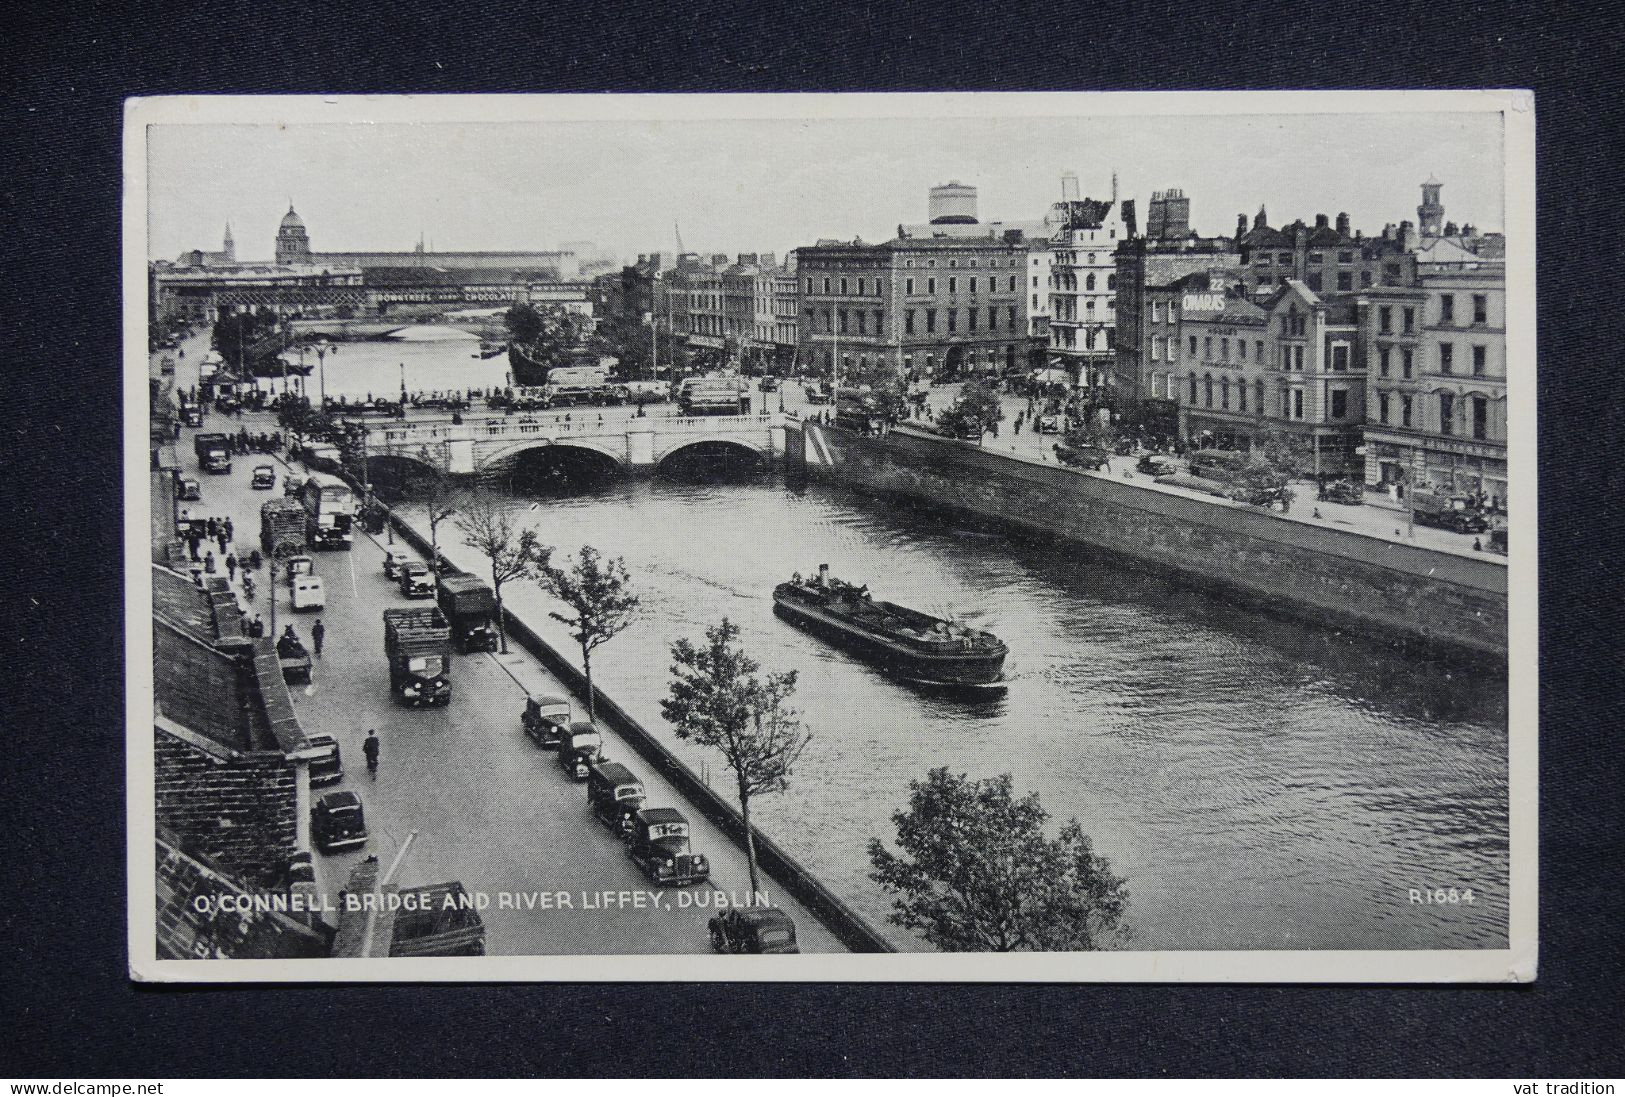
1437	365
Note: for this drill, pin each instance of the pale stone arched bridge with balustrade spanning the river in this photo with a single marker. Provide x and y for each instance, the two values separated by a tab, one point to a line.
633	444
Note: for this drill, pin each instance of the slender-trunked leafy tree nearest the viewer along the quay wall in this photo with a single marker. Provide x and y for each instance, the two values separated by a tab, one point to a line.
719	701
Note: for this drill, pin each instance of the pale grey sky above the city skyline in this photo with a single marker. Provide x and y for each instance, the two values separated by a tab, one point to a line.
771	186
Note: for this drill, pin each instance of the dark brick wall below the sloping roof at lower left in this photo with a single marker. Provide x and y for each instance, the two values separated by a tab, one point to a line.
236	809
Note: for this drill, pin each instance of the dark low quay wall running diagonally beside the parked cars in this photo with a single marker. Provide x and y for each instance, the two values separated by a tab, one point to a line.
846	924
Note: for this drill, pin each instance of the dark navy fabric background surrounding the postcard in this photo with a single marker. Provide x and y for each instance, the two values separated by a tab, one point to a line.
69	1007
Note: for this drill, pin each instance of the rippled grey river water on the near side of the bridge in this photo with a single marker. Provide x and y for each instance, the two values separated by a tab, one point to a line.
1262	784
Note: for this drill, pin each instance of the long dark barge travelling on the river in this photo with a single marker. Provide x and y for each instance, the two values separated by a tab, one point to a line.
904	643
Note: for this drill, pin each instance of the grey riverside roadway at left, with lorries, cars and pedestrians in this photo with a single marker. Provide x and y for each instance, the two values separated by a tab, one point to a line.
490	809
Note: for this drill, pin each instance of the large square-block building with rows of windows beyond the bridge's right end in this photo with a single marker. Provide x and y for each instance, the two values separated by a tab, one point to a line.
940	306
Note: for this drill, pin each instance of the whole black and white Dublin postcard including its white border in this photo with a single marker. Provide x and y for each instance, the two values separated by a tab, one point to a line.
831	537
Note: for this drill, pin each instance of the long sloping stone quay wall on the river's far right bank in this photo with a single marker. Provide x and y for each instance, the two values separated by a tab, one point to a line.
1441	602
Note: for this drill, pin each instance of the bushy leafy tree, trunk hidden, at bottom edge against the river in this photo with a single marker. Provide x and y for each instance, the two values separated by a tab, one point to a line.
979	875
